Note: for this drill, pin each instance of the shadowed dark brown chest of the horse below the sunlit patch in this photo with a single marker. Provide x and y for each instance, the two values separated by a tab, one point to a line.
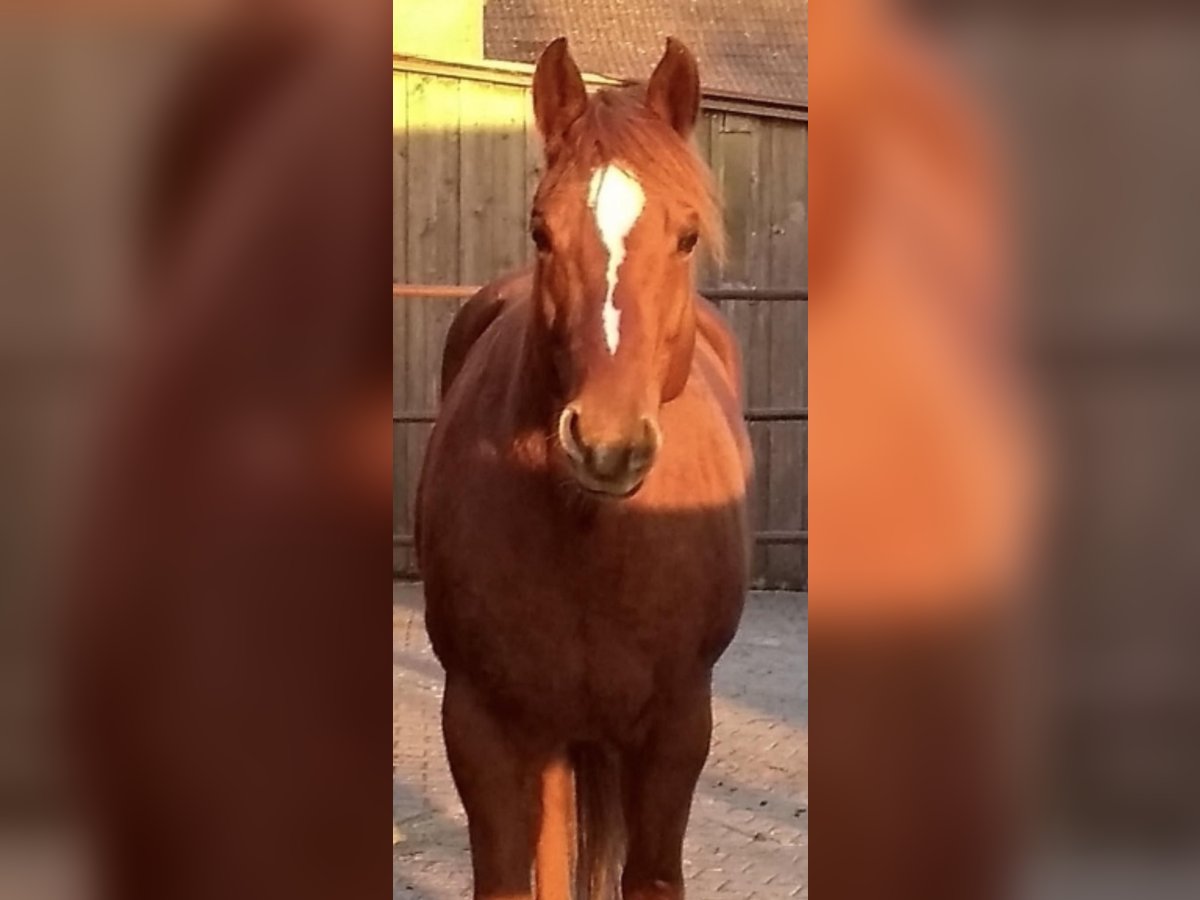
586	623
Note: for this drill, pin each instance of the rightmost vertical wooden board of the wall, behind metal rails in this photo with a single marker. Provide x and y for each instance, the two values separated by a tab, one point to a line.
788	487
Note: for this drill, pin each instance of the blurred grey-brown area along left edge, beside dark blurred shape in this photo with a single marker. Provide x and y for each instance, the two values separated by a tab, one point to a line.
80	100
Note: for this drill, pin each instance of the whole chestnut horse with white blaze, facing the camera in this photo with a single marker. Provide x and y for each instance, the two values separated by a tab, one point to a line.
581	519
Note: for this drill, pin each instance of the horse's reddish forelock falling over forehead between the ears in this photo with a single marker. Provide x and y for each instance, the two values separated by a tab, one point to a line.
619	128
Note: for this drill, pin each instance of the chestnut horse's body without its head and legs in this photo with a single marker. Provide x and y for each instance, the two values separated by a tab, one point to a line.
577	613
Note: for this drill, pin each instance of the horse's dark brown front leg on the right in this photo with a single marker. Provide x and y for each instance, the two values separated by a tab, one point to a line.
661	778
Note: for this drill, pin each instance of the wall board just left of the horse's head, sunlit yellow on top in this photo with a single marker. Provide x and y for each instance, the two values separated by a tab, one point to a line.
509	223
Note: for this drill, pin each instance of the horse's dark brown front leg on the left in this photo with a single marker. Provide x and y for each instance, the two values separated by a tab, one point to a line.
500	788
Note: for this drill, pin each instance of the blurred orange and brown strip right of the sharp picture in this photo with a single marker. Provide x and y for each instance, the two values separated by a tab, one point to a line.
1033	445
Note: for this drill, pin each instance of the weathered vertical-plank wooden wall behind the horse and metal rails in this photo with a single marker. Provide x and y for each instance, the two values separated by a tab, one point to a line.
466	163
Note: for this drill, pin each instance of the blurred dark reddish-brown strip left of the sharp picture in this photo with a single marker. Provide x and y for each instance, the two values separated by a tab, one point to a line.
196	452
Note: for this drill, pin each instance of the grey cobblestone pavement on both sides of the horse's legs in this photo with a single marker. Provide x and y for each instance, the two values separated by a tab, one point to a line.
748	838
